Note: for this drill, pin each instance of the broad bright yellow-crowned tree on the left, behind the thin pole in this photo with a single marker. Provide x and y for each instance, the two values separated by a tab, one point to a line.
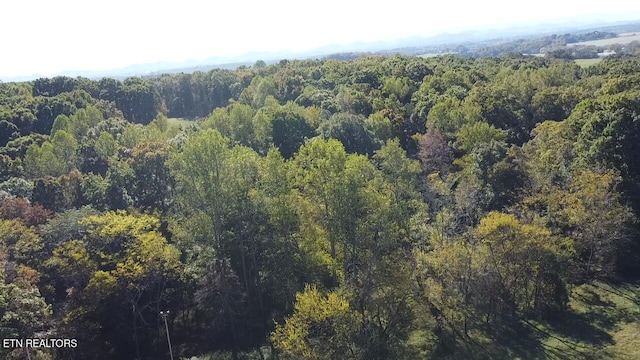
116	279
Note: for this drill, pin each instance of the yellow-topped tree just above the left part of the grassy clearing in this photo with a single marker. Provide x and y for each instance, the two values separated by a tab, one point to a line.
525	260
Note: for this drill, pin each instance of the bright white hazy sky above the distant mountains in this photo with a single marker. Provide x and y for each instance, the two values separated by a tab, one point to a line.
49	36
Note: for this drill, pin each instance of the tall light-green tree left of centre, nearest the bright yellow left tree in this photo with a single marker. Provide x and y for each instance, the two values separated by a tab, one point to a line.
217	196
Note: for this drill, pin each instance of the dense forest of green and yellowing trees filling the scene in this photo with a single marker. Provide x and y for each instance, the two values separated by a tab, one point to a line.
387	207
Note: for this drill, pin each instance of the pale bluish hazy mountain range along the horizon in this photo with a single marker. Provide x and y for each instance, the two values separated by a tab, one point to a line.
409	46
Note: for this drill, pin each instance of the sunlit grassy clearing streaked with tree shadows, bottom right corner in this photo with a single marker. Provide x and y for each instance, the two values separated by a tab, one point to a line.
603	322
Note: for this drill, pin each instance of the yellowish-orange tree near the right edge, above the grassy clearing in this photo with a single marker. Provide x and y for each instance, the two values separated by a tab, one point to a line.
589	209
